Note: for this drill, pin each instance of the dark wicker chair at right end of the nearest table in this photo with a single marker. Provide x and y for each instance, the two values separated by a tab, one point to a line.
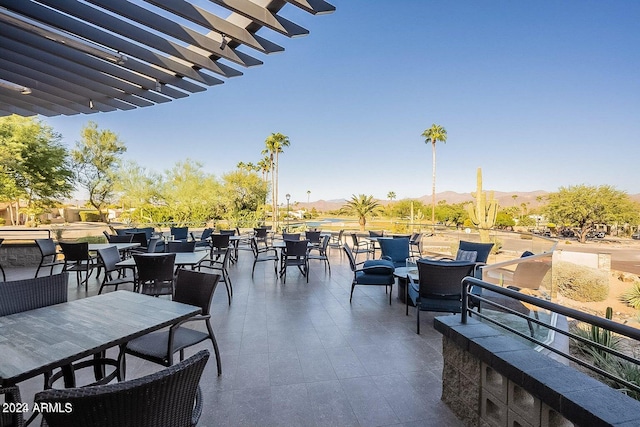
193	288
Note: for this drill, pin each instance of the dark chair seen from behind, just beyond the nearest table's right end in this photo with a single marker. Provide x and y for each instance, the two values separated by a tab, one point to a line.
155	273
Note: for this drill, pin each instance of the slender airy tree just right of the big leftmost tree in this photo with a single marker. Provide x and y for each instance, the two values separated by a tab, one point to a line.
97	160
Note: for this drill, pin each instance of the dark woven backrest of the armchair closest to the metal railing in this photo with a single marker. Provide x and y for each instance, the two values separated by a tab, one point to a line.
443	279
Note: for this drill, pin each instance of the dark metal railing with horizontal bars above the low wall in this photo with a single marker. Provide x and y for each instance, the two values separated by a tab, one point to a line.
472	298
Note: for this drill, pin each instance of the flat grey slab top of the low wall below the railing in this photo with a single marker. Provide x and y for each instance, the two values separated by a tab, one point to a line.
574	395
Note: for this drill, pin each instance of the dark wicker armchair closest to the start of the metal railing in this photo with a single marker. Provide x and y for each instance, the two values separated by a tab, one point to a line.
439	286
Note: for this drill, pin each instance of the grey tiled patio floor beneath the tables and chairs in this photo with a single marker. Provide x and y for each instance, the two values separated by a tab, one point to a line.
298	354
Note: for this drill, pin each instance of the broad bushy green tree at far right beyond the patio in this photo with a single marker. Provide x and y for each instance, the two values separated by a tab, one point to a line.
582	207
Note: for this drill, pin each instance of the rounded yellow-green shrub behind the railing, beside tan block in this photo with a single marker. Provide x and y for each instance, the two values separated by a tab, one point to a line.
580	283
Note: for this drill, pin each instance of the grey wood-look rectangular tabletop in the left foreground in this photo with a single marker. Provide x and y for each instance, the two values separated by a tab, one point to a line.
37	341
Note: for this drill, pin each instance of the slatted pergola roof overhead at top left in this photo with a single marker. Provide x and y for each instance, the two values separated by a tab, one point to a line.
64	57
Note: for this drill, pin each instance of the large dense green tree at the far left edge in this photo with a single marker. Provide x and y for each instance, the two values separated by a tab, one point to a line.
35	165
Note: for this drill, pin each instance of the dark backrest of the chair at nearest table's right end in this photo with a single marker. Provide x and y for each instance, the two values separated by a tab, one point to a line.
196	288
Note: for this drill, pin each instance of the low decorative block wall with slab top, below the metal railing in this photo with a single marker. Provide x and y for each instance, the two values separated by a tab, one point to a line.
492	380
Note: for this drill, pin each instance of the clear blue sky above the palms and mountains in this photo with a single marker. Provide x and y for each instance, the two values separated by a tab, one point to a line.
539	94
